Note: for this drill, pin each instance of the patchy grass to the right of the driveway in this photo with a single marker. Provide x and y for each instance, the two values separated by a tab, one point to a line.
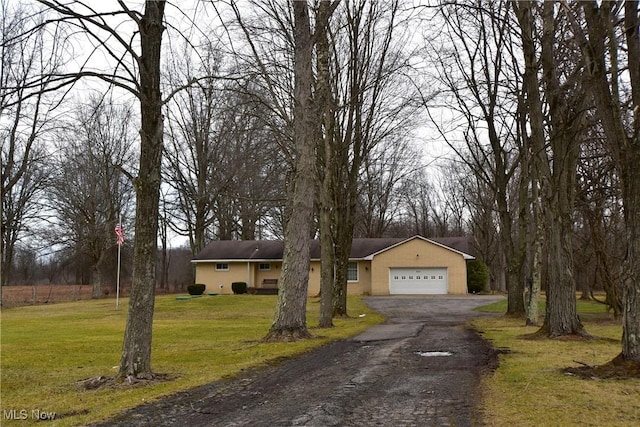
530	389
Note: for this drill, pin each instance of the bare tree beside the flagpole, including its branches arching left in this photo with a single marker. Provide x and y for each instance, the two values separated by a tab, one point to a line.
136	69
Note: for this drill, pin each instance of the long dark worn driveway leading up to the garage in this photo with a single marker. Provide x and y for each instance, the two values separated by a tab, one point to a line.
421	368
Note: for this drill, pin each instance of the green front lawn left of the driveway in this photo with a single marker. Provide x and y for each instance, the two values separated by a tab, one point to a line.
46	350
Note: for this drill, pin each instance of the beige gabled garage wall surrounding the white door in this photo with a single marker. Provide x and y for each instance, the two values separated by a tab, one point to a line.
418	253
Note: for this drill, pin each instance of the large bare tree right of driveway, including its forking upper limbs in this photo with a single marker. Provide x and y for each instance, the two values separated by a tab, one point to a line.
556	161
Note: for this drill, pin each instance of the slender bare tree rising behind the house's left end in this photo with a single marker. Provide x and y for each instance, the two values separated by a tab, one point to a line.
198	165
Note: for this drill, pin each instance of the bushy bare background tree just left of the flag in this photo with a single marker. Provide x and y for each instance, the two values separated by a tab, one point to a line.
89	192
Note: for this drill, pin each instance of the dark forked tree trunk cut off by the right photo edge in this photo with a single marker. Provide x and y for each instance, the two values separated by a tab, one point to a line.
623	144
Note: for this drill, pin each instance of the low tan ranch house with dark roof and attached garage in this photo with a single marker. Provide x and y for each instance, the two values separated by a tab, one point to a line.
380	266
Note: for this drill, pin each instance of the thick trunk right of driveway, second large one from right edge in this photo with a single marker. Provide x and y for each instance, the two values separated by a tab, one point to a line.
566	114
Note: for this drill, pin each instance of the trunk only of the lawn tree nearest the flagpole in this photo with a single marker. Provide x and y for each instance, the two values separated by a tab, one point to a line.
135	361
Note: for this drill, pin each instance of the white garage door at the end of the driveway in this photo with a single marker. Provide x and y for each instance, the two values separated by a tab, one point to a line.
413	281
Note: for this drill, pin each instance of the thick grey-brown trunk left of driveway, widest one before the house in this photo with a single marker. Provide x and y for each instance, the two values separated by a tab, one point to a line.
290	316
